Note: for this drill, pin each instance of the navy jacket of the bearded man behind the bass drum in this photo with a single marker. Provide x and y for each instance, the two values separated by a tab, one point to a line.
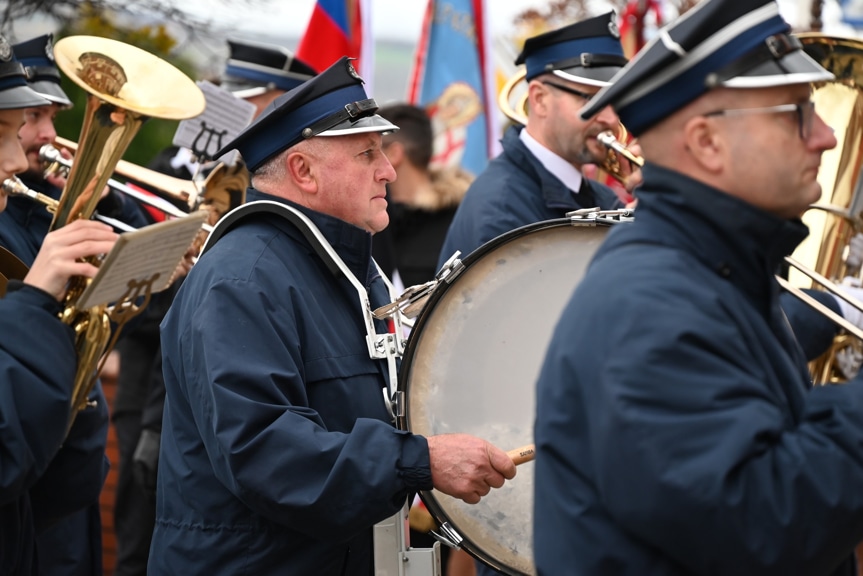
513	191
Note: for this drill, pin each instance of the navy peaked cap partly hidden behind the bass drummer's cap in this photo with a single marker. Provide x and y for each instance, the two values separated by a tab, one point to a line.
254	68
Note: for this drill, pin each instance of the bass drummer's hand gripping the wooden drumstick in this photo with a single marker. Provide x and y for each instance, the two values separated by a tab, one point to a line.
467	467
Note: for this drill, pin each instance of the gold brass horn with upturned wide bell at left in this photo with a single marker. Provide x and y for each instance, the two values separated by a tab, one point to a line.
126	85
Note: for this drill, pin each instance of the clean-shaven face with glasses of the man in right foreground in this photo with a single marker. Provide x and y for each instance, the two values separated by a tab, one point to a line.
775	156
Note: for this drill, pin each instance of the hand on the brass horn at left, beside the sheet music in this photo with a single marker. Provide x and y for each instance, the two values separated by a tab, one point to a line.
58	259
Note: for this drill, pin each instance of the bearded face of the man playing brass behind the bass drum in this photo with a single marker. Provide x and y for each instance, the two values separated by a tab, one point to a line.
565	133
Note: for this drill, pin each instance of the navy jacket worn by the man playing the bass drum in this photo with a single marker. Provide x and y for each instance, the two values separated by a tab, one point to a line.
277	452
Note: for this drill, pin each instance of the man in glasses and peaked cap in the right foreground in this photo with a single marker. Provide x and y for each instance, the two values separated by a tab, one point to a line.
677	430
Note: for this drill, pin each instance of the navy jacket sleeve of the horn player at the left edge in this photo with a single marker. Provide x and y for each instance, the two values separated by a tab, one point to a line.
37	484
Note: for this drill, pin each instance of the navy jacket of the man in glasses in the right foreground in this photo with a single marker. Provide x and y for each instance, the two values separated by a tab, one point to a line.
677	431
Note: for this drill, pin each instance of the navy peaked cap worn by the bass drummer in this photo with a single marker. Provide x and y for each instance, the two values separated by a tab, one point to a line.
333	103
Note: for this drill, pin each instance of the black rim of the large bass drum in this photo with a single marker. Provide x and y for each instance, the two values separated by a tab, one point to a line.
414	341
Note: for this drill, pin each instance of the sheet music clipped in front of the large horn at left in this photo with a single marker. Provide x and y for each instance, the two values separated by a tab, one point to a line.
138	255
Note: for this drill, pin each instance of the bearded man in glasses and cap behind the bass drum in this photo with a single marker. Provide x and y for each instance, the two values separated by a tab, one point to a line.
538	176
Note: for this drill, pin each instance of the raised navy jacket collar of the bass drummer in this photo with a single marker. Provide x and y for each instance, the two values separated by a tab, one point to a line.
352	244
